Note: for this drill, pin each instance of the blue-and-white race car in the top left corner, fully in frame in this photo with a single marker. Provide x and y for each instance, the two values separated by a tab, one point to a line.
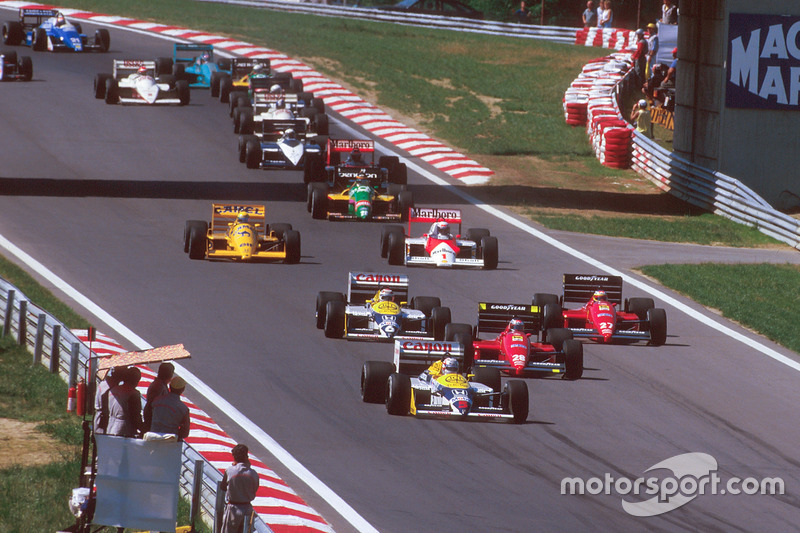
48	29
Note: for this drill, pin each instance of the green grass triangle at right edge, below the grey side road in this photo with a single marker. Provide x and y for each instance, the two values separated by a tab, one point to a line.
762	297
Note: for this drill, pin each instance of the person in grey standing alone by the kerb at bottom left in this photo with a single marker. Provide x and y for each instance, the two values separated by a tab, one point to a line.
240	483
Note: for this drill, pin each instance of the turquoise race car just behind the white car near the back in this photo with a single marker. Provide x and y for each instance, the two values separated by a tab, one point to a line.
194	63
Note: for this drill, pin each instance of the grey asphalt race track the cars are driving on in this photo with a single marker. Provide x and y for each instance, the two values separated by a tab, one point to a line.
99	194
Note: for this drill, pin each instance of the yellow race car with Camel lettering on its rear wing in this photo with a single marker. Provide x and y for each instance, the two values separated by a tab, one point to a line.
239	232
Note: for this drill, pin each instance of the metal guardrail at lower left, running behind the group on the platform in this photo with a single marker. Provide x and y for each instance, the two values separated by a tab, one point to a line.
58	348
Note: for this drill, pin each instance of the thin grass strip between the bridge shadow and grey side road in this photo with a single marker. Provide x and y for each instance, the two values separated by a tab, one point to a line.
703	229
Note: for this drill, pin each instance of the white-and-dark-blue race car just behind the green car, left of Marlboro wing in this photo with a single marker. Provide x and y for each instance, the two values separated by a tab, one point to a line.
283	144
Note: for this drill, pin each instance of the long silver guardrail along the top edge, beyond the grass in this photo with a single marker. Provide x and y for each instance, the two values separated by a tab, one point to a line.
509	29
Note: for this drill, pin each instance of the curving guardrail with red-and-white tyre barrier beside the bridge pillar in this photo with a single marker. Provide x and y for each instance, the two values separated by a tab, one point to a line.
594	98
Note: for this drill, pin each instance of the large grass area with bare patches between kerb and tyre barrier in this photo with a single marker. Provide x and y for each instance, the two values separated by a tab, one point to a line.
493	98
